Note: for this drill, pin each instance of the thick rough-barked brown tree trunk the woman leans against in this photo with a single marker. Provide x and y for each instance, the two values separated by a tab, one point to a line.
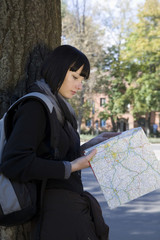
28	29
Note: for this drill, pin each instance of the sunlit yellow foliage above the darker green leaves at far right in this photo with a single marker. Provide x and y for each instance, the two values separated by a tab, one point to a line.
144	42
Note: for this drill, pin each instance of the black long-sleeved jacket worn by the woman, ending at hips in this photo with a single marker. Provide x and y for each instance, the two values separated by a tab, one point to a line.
27	153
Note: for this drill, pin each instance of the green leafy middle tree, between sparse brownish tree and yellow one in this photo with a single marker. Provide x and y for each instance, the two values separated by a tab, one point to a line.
111	81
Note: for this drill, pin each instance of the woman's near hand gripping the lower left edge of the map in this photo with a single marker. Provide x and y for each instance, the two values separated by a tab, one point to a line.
82	162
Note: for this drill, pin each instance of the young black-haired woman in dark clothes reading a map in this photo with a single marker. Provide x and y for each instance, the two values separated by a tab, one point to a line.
68	212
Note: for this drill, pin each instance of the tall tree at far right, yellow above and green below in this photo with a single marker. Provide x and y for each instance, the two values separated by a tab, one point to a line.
141	58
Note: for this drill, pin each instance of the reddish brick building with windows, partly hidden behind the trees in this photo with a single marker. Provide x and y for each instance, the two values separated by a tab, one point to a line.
124	121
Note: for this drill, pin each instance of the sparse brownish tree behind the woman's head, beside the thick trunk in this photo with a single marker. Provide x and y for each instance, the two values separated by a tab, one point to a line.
79	30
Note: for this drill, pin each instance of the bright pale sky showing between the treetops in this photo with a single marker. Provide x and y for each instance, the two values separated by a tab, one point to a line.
101	18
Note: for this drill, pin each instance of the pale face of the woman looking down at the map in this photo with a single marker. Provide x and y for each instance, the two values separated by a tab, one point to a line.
72	83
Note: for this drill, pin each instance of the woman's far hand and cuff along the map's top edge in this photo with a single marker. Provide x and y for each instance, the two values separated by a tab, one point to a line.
100	138
